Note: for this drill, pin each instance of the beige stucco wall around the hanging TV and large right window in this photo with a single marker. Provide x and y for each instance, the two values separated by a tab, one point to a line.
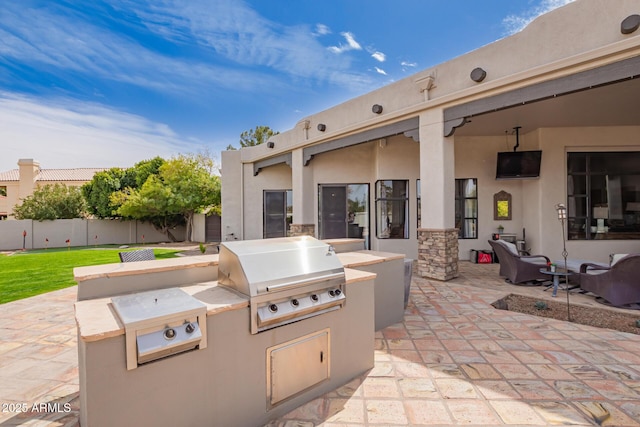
534	200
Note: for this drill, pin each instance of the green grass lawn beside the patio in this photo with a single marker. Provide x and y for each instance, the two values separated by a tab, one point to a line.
30	273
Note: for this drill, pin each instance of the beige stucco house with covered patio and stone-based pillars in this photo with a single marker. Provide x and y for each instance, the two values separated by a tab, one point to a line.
412	167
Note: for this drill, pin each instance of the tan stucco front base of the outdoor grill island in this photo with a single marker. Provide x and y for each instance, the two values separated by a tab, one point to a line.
224	384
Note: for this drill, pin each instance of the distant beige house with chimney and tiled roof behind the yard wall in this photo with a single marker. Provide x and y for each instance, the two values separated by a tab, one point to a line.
20	183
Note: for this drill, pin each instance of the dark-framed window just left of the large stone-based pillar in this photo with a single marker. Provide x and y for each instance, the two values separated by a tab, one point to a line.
392	206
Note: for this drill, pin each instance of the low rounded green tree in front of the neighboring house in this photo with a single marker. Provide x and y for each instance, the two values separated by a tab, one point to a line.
55	201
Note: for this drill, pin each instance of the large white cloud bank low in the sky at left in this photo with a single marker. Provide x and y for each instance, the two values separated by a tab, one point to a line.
67	134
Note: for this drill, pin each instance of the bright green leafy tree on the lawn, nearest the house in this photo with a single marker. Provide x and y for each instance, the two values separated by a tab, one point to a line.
184	186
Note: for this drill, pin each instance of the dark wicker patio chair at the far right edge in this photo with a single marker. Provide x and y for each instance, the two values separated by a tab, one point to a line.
617	285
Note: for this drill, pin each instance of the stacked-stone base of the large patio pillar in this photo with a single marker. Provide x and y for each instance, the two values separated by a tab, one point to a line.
438	253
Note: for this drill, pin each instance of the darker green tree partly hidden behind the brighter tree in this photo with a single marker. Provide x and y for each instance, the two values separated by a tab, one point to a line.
98	191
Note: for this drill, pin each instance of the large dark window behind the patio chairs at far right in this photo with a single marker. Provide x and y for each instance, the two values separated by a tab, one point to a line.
603	195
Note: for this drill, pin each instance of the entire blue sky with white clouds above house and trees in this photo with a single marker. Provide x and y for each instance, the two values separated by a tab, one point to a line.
109	83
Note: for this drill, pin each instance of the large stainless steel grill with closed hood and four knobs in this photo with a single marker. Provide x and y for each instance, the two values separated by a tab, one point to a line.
286	279
